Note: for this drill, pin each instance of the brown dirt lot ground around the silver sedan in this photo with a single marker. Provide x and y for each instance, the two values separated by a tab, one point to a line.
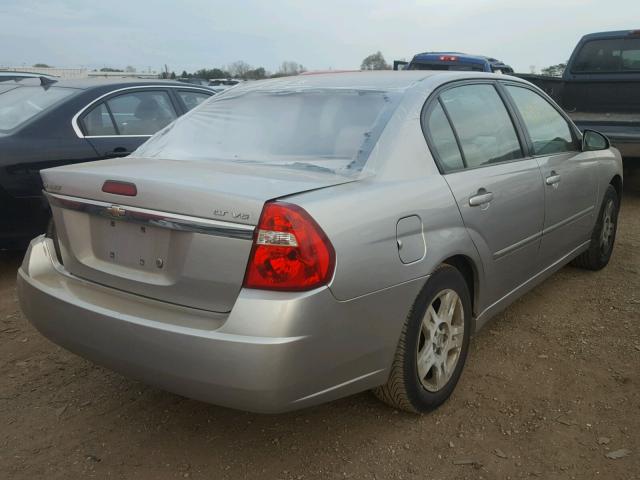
551	387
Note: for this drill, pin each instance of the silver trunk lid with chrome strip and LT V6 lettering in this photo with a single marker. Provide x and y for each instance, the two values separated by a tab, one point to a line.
184	238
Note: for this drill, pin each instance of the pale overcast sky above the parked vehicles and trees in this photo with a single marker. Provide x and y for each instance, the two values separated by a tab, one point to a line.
326	34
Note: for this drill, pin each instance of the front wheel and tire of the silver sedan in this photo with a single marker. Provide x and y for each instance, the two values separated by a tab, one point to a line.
603	236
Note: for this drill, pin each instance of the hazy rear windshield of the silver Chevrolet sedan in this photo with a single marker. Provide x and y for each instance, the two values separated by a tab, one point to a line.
329	129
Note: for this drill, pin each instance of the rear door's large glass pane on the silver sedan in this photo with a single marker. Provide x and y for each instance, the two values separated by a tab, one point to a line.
482	124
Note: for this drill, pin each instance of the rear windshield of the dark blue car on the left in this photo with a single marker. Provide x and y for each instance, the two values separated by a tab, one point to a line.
20	104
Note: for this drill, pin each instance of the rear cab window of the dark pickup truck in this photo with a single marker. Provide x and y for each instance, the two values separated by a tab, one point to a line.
609	56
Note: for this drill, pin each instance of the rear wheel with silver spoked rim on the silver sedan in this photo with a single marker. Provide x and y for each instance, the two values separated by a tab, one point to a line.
408	387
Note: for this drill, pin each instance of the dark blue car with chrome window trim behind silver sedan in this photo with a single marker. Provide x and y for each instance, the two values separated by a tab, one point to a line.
46	123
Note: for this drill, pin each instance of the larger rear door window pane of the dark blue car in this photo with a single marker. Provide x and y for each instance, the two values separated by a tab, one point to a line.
141	112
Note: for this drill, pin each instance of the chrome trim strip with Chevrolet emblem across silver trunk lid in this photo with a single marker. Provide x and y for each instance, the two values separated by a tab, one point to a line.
154	218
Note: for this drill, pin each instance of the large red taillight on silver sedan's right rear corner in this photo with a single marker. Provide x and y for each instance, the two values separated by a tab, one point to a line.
290	251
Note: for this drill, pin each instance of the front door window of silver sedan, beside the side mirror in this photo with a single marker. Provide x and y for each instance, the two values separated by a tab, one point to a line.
549	131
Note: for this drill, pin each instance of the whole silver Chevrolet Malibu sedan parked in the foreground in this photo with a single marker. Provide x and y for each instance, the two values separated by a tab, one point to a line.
294	241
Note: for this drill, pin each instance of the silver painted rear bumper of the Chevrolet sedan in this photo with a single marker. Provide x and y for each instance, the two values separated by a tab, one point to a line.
273	352
